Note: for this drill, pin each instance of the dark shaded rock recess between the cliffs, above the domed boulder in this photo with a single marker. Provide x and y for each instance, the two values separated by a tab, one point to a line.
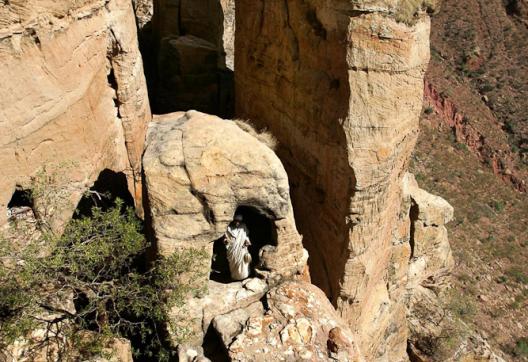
193	46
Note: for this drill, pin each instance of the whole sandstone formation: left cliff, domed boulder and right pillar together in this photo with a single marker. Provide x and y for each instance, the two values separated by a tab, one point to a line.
339	83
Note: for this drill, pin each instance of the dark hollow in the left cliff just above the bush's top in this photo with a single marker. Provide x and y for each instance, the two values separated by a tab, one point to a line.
108	187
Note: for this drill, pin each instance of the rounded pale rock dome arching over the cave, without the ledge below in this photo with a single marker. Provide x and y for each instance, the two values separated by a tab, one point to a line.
199	169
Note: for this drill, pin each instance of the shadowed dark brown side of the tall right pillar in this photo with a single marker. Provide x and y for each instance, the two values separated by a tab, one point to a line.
292	78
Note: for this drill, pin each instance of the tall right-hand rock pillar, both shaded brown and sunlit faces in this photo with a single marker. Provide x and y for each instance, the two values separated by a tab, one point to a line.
340	84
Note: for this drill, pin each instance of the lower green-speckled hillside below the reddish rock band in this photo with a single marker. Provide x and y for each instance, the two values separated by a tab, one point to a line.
489	238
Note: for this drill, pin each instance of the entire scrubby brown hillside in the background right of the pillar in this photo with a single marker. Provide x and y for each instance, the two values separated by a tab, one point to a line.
474	124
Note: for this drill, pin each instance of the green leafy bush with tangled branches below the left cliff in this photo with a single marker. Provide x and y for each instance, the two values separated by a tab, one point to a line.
98	264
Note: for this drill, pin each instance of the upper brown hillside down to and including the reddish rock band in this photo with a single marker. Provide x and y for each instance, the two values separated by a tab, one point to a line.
477	81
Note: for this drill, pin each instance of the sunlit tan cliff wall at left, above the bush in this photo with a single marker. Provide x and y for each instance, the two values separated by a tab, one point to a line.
72	89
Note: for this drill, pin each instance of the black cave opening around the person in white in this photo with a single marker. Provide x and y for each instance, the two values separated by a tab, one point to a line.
261	232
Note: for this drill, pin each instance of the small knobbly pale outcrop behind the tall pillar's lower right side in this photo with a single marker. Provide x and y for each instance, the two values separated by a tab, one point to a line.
430	264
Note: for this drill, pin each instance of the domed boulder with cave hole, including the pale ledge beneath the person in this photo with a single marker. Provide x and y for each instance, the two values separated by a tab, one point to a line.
199	170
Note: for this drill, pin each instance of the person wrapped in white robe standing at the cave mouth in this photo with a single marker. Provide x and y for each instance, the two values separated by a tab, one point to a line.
237	242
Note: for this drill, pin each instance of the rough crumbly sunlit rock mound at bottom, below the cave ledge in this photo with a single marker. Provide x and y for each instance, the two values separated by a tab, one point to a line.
299	324
